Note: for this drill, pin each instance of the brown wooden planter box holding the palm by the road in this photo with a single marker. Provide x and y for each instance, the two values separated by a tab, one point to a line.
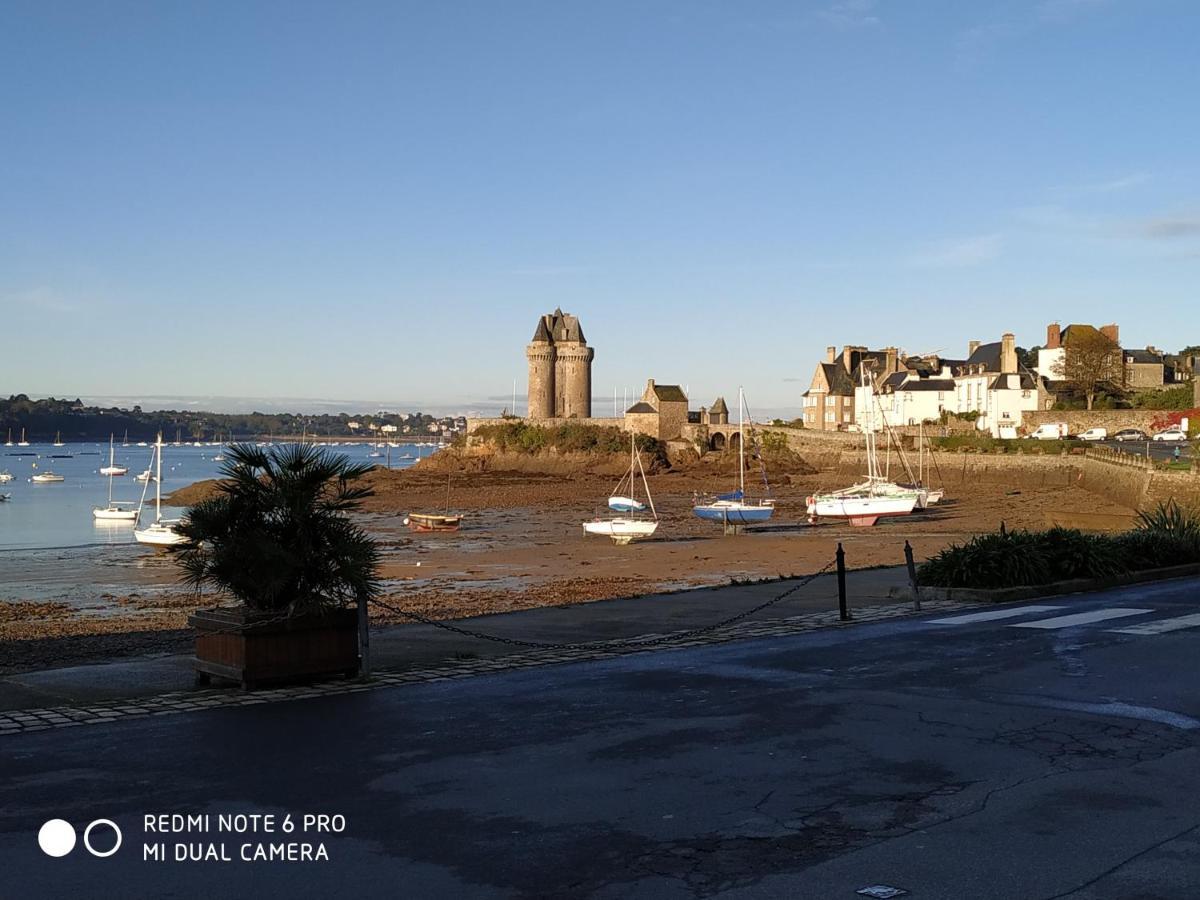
257	649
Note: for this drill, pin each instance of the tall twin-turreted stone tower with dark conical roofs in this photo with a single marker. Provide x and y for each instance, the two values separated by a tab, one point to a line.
560	369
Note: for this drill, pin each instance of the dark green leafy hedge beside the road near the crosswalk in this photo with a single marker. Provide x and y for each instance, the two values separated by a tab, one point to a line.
1169	536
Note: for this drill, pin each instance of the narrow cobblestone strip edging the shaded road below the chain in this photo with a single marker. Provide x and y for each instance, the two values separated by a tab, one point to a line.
41	719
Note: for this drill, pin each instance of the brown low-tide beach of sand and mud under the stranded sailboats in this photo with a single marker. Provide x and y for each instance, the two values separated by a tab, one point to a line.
521	547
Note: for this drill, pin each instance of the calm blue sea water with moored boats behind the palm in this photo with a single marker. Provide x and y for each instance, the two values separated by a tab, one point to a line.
59	515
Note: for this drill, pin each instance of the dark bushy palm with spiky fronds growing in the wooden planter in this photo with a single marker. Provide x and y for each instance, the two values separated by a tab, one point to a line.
278	537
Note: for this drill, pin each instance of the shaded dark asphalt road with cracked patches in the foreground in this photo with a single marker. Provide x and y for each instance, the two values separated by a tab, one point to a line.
1040	755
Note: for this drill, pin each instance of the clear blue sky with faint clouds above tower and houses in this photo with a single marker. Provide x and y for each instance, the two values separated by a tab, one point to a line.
377	201
